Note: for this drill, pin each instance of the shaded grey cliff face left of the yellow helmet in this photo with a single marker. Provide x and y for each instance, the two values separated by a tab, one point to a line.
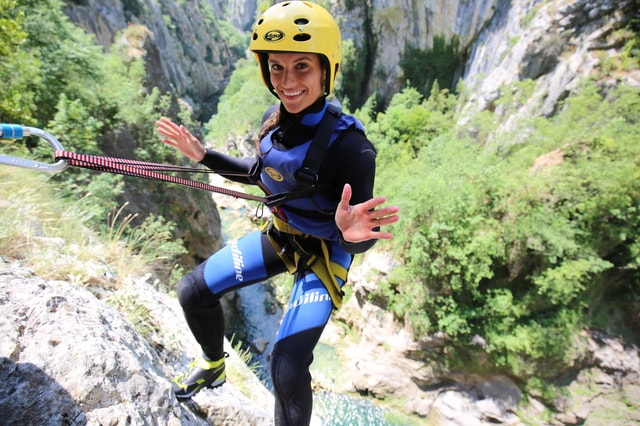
191	60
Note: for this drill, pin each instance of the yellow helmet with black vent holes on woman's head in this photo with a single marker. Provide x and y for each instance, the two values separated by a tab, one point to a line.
297	26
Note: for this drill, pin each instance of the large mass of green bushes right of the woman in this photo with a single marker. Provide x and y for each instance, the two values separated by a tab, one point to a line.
513	242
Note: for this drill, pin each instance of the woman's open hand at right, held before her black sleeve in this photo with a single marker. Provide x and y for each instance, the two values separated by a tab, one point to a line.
357	222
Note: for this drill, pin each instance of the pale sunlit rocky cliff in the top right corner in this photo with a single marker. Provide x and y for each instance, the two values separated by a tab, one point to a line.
556	44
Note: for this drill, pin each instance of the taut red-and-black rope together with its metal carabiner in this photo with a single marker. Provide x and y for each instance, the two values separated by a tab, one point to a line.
113	165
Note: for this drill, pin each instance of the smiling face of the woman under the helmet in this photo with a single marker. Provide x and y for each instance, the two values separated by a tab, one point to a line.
297	79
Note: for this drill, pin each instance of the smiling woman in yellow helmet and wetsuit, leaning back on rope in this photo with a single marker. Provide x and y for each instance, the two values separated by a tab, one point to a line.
329	214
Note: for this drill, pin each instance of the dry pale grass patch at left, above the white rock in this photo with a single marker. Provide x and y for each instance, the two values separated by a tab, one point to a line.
40	227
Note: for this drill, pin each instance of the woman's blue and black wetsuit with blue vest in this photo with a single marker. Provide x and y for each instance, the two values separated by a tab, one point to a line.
349	158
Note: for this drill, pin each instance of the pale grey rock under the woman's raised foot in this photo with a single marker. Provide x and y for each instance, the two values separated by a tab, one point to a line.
68	357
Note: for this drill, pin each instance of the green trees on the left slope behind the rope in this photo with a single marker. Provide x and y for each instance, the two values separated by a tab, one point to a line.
59	80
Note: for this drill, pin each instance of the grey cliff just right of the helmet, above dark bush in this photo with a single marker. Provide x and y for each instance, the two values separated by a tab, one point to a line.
382	29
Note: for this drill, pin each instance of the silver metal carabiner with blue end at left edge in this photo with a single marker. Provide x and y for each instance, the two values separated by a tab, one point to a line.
16	131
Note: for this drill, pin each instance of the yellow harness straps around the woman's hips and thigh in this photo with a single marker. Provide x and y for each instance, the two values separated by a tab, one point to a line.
322	266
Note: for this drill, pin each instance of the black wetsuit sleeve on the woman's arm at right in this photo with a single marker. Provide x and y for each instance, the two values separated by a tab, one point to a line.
355	160
